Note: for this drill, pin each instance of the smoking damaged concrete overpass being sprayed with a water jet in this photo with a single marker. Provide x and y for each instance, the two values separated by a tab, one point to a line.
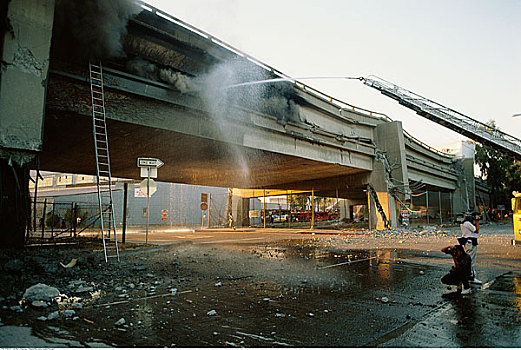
179	94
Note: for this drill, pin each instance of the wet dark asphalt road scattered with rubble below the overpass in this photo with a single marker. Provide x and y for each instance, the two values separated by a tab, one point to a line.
297	293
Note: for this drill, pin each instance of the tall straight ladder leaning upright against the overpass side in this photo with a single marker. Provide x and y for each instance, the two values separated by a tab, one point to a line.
101	147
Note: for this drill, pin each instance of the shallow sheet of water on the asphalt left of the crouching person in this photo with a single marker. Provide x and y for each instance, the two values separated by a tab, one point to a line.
287	299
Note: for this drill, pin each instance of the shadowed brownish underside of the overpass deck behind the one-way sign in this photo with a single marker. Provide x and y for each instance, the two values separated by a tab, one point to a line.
68	147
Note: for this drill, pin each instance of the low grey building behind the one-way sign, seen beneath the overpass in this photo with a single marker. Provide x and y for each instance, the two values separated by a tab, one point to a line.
172	204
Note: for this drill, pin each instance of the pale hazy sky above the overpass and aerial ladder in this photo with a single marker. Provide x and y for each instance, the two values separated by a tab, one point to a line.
464	54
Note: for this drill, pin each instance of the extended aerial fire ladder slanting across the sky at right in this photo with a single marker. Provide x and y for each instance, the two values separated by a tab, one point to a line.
448	117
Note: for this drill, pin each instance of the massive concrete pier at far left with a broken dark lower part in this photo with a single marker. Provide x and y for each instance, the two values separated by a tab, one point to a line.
25	40
